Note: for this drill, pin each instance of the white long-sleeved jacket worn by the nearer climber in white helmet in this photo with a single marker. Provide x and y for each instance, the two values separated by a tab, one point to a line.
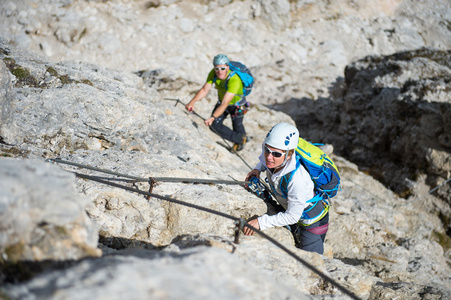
300	190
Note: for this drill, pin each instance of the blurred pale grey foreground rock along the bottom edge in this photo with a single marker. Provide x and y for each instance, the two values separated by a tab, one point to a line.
194	273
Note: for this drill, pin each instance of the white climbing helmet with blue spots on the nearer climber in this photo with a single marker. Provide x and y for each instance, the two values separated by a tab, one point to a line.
283	136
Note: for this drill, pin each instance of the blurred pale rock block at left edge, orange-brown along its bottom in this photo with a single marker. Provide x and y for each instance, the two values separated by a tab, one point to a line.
42	215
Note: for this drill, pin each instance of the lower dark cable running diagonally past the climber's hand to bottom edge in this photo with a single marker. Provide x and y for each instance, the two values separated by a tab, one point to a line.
240	223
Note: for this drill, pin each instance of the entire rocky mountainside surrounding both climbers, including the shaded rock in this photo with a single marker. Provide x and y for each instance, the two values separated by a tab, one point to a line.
109	100
